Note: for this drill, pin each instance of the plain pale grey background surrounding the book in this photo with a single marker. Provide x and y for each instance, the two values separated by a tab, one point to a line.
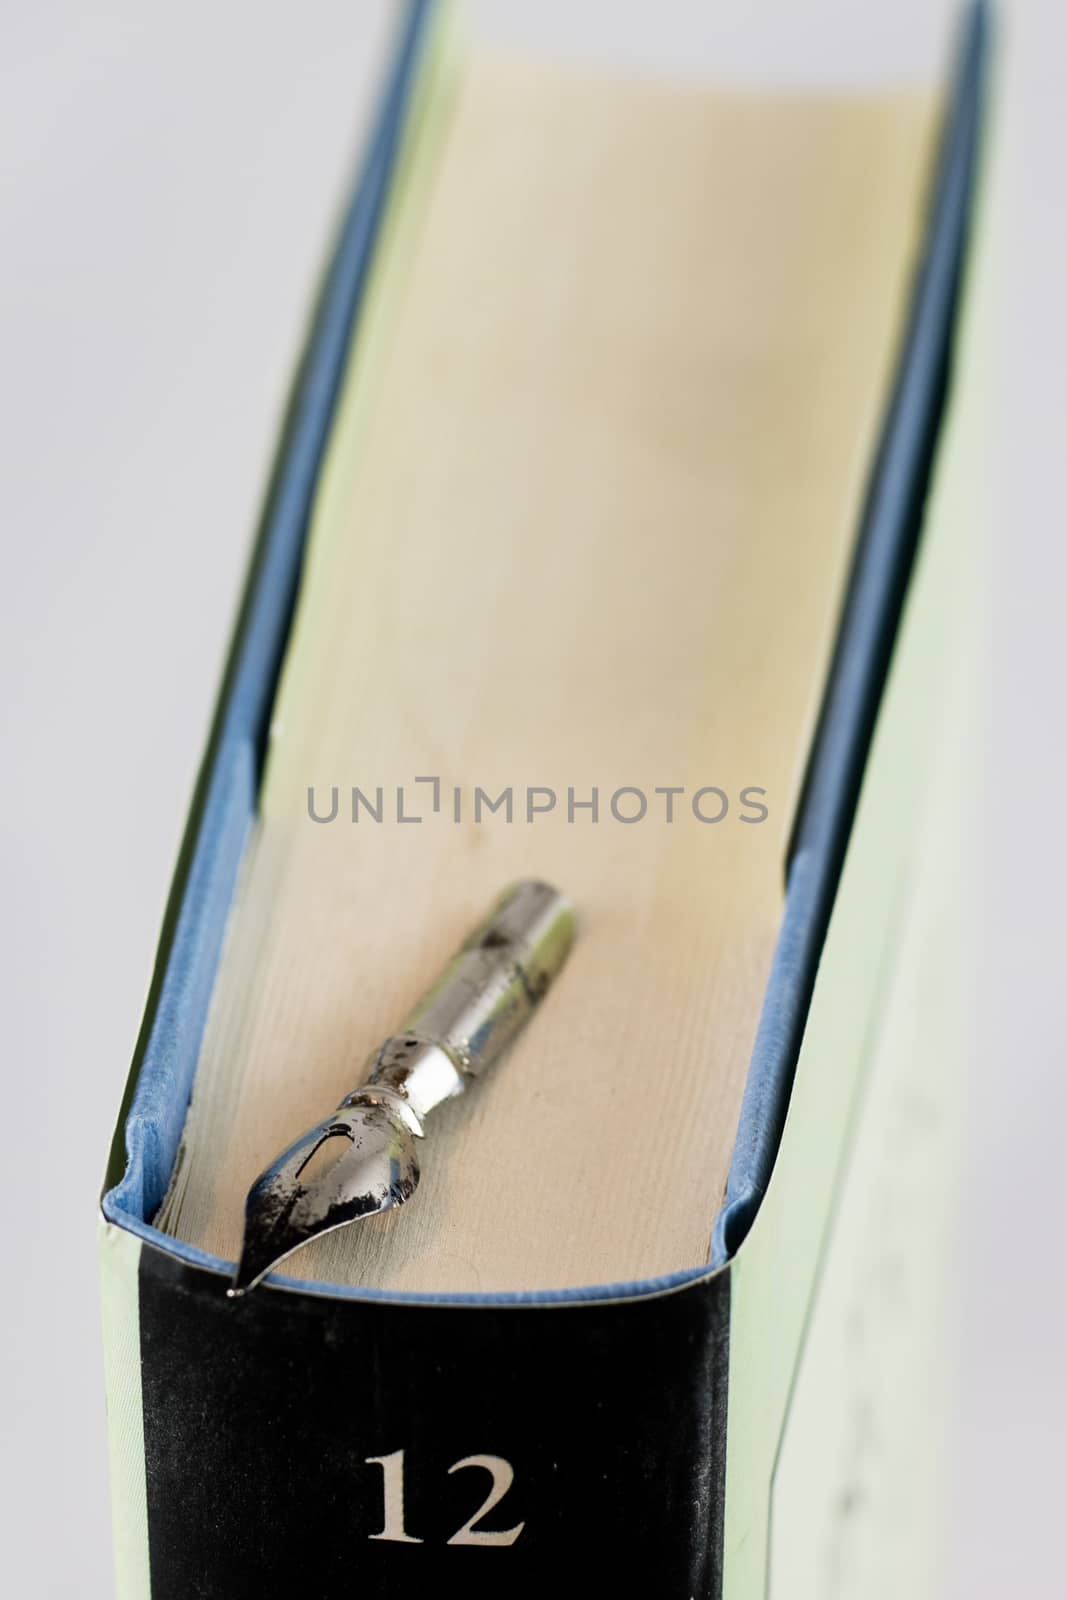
169	180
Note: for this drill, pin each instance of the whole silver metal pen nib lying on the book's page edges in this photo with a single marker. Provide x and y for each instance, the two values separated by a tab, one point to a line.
362	1159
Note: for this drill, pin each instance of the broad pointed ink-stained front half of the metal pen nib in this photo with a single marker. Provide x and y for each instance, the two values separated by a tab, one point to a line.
354	1164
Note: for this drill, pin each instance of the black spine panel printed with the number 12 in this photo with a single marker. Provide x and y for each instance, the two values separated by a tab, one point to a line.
362	1446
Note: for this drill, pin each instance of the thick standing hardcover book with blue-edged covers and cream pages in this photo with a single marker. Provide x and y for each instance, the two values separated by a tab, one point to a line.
586	558
